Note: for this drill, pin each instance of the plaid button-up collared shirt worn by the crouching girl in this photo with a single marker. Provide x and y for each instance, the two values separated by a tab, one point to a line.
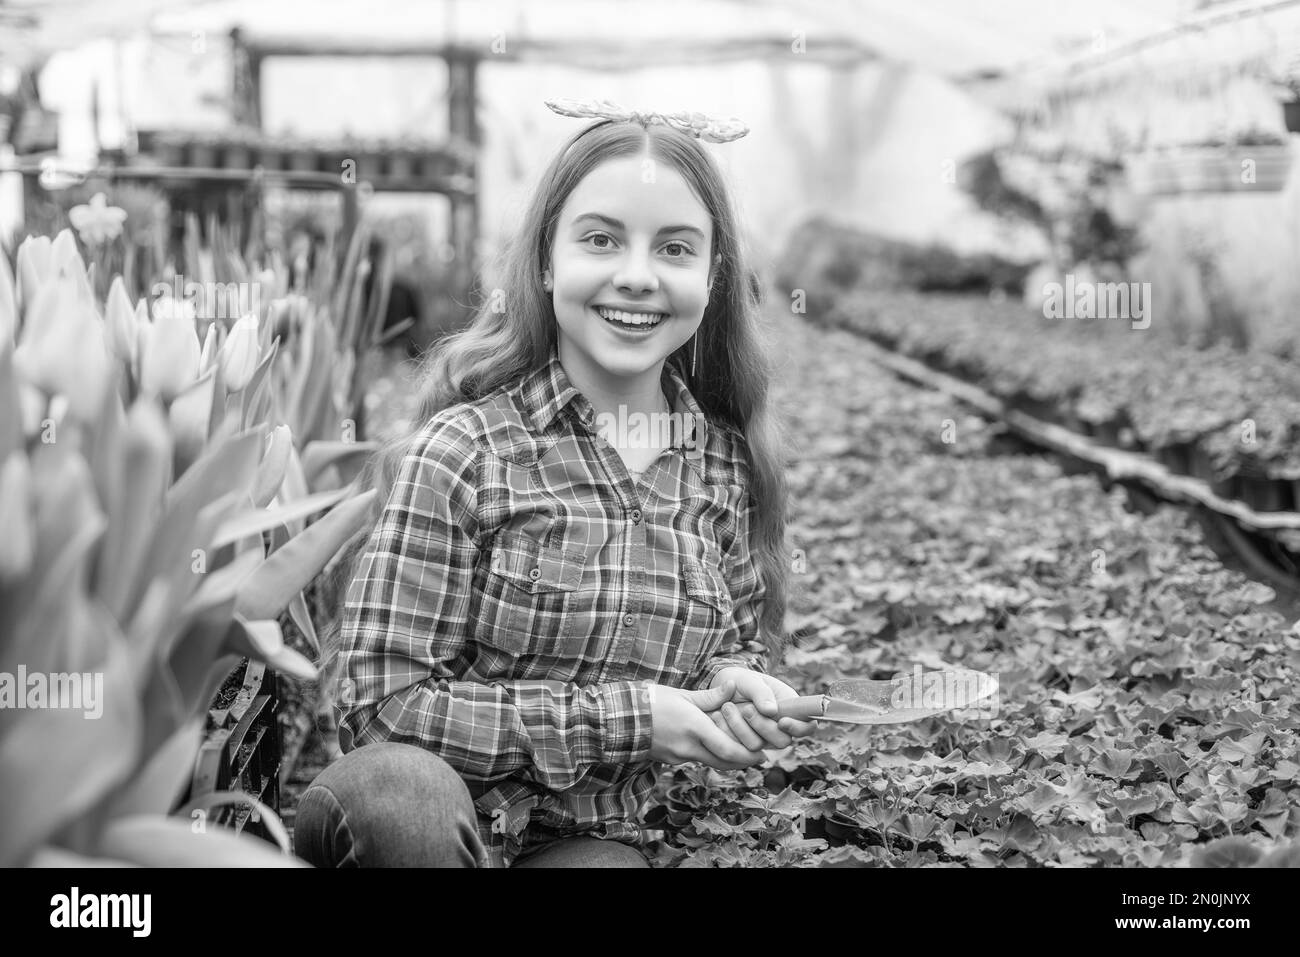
521	594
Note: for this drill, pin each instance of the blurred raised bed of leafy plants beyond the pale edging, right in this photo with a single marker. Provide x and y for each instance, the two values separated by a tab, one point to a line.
1236	414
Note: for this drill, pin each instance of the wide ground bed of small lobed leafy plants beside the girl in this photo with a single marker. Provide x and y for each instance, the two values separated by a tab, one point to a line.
1147	713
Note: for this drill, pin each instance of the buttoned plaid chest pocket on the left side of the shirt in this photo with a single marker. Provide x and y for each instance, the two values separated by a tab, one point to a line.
532	595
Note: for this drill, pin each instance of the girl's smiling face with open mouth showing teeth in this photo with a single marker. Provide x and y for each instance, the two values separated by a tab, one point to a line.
629	246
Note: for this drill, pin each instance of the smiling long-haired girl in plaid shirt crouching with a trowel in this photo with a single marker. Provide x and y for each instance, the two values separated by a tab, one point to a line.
551	604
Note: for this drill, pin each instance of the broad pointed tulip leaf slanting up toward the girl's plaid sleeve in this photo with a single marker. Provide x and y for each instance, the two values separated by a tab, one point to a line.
289	570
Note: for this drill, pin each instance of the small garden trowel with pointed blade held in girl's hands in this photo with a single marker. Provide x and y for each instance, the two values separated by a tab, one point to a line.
905	699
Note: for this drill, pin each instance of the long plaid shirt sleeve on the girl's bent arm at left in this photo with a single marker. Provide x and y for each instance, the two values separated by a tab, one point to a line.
408	618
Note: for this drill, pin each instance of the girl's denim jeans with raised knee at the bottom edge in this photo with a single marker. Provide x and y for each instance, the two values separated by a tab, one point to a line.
397	806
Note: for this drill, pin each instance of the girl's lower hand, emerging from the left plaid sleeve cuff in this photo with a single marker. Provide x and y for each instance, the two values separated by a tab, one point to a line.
683	730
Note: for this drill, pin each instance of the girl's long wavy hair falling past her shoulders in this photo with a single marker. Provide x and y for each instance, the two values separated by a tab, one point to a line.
500	347
